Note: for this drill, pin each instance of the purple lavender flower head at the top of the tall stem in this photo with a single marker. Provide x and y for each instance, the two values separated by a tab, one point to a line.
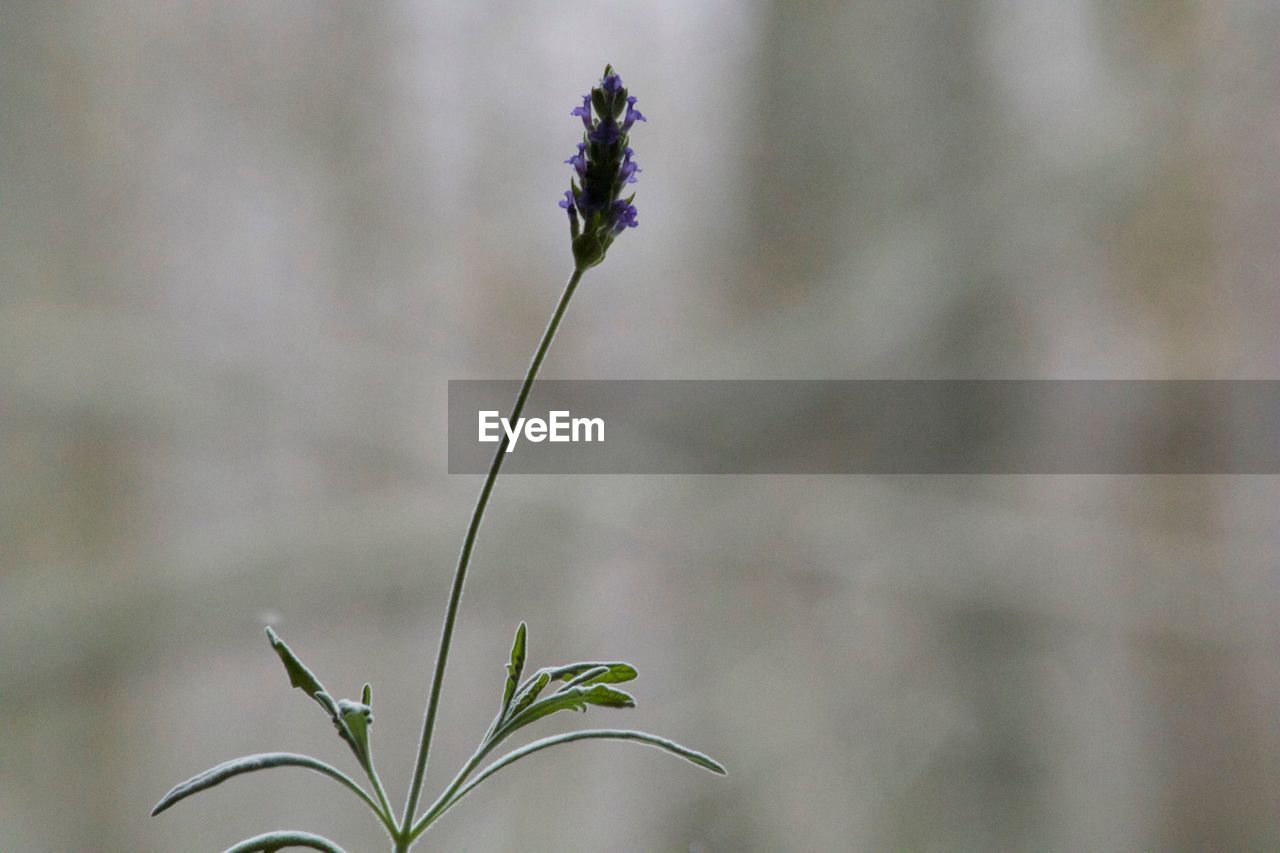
604	167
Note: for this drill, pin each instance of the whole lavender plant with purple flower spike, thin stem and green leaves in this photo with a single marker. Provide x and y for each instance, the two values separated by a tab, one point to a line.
598	215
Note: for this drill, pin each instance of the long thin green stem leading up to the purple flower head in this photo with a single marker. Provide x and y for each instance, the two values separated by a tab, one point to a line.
460	574
